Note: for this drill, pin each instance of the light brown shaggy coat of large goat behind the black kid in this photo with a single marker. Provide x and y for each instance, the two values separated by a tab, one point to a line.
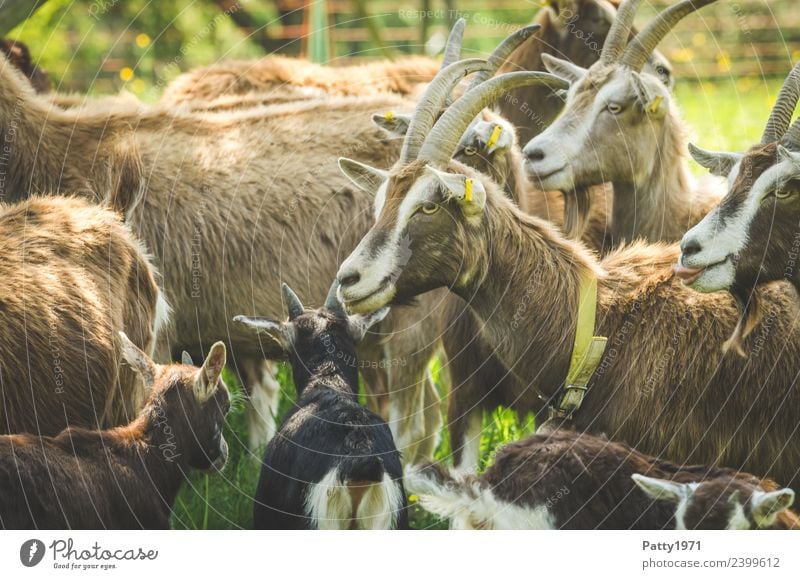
214	185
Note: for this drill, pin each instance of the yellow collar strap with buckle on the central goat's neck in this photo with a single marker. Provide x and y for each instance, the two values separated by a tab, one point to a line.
587	351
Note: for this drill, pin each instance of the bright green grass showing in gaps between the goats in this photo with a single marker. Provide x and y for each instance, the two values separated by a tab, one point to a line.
728	116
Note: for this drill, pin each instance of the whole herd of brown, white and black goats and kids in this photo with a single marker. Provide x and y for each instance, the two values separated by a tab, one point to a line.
547	274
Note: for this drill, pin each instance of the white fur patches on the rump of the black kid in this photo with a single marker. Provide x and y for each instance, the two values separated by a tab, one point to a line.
330	505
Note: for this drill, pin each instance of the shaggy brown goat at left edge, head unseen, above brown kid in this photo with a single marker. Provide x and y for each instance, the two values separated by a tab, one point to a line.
73	275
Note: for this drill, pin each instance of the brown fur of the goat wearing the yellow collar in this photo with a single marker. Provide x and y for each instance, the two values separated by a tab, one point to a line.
659	384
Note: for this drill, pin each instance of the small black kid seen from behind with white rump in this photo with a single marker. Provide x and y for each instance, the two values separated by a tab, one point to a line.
333	464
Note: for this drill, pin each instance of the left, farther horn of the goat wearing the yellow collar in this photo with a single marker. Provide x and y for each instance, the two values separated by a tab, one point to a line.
431	103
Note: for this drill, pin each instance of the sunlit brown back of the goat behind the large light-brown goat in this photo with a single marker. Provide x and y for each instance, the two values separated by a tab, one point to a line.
279	79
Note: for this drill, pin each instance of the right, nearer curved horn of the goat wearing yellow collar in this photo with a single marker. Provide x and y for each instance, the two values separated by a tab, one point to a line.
444	138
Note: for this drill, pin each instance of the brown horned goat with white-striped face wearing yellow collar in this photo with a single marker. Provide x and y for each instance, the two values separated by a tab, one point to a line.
521	277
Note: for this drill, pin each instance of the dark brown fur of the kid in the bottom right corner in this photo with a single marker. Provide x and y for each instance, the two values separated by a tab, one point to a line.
585	483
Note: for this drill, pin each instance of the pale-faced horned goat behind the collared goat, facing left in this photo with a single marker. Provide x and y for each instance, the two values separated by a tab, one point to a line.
618	125
